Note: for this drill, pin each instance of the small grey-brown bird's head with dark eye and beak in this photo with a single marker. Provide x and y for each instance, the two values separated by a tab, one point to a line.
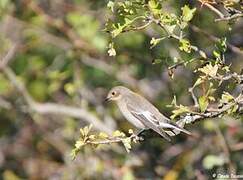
116	93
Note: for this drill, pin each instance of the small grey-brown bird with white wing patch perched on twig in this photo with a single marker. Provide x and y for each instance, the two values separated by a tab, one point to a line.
141	113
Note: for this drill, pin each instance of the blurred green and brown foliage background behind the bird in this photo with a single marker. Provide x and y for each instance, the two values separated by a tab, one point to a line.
57	73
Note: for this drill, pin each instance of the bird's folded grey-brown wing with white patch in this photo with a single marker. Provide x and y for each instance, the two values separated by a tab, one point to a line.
147	119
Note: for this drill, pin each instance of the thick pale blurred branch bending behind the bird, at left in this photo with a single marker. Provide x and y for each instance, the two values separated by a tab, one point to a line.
53	108
